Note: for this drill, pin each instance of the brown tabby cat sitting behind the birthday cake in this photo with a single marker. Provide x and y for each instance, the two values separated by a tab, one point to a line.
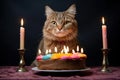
60	29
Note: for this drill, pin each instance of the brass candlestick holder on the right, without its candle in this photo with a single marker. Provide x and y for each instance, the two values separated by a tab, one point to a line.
105	62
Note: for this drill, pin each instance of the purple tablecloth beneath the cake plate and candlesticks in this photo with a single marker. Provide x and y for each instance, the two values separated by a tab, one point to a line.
9	72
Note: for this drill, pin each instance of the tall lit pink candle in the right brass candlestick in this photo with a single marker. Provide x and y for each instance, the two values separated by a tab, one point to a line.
104	33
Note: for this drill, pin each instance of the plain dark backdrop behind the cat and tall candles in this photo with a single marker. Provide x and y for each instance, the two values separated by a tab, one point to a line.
89	13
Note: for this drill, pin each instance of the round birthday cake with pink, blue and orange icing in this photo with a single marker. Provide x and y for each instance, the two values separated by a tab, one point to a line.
61	61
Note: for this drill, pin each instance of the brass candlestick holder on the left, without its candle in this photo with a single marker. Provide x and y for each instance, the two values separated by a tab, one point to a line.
22	61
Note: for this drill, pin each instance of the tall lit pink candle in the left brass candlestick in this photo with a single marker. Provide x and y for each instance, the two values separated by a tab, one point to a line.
22	35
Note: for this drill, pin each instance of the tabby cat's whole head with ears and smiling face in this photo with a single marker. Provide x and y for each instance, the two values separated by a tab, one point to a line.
60	25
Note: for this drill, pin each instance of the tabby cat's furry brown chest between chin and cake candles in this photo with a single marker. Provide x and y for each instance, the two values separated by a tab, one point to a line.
50	44
